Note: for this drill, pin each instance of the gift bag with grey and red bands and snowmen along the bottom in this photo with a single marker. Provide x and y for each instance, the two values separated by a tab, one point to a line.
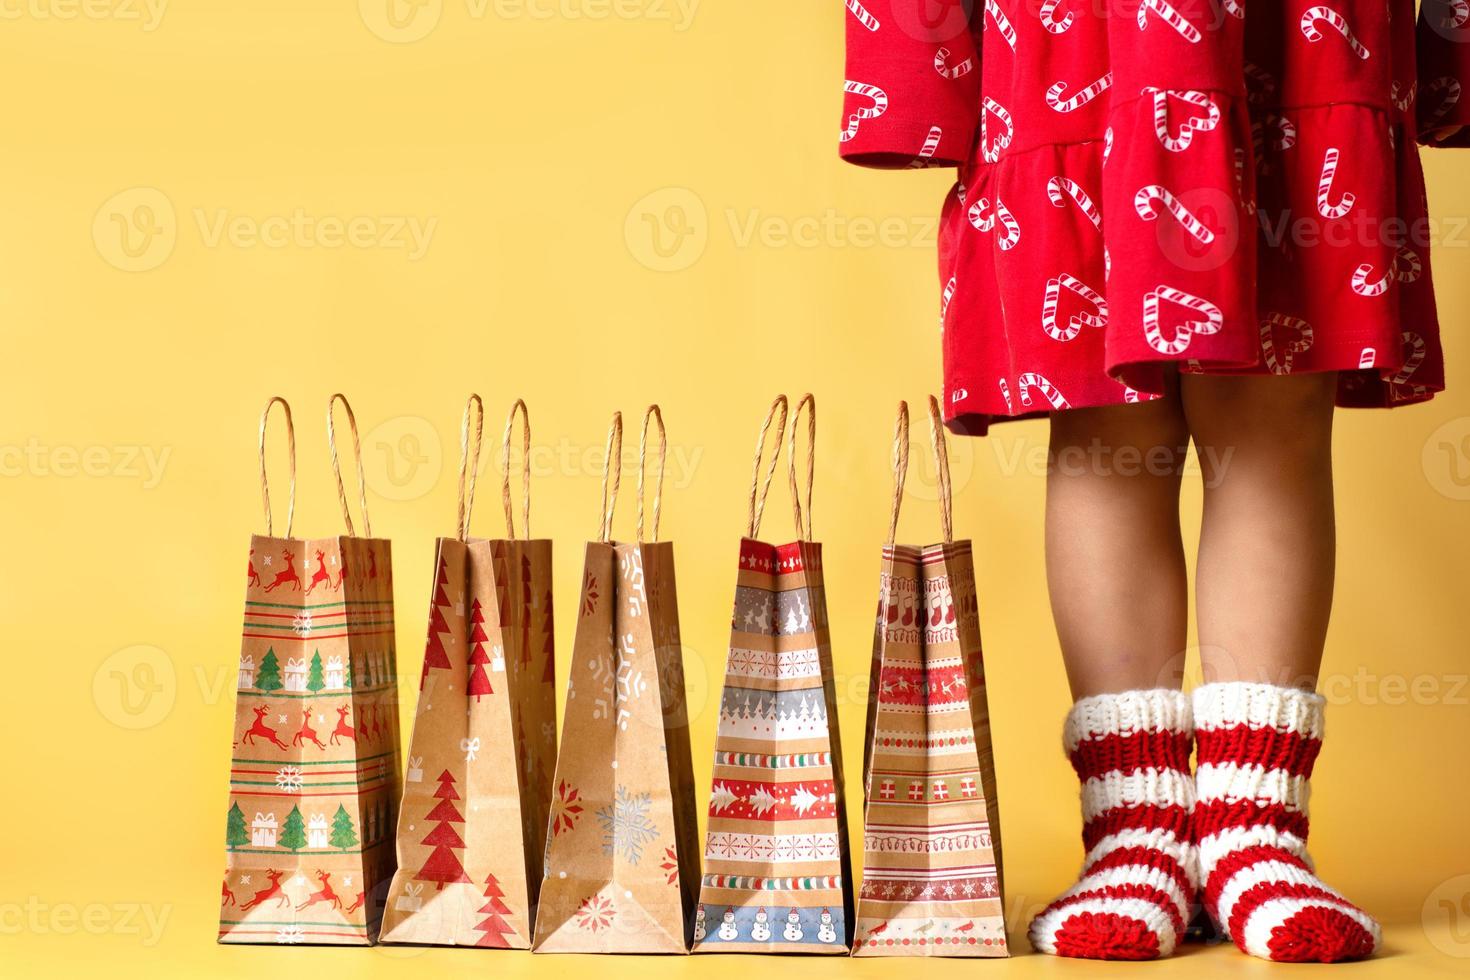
778	875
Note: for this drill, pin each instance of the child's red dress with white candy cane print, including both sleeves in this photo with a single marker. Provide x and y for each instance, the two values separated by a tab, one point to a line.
1144	186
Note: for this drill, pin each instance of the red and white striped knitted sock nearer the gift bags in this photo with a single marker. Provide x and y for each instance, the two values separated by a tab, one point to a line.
1140	876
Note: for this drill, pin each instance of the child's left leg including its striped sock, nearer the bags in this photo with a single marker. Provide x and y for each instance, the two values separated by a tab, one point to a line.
1115	563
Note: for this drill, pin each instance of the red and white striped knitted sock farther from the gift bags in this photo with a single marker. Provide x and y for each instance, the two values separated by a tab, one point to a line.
1258	746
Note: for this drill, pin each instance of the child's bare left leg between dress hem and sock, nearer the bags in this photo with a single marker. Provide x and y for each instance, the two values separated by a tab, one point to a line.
1115	556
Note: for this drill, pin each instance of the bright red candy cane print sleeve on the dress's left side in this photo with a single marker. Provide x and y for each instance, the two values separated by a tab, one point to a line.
912	96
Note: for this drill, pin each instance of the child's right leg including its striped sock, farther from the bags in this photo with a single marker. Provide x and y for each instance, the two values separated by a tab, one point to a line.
1265	594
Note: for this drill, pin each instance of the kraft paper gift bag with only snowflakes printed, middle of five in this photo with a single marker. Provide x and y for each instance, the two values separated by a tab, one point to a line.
623	860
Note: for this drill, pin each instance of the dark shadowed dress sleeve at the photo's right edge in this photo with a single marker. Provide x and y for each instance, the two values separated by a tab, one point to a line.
1443	54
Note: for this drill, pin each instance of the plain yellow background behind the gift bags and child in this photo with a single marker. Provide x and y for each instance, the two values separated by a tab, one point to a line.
533	145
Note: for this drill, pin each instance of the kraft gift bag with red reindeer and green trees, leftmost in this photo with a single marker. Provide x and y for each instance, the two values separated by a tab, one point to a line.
314	788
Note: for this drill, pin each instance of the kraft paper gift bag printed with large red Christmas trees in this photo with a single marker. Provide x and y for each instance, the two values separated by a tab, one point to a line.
473	824
